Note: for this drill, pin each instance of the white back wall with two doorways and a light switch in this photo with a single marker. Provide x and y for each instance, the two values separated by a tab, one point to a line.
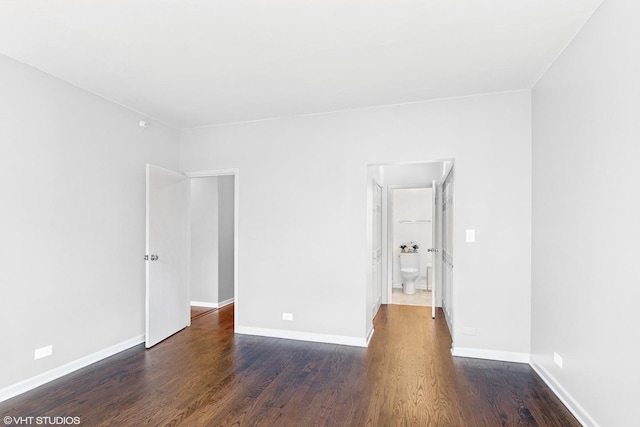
303	209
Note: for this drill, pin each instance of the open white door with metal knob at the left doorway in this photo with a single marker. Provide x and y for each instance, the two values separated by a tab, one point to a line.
167	296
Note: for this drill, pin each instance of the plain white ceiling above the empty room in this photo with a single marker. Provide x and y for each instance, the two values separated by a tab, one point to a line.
195	63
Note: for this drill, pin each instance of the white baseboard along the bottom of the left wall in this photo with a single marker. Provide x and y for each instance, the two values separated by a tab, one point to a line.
55	373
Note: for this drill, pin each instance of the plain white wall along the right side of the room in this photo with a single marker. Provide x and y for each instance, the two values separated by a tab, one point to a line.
586	153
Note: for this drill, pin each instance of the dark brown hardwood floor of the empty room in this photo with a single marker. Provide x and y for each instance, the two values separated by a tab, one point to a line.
207	376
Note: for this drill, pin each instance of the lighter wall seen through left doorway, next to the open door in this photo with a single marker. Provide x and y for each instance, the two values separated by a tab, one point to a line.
204	240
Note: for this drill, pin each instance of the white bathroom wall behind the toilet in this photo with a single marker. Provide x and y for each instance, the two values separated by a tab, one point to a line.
412	204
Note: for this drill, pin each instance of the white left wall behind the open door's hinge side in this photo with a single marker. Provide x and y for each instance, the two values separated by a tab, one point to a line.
72	220
